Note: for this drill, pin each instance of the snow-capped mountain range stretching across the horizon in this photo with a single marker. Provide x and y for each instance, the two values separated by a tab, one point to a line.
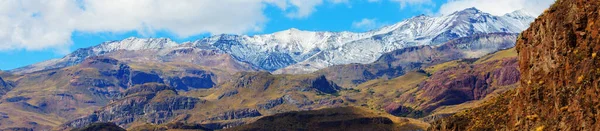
297	51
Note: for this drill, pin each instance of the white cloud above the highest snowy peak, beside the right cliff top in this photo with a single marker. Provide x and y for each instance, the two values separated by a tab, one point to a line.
497	7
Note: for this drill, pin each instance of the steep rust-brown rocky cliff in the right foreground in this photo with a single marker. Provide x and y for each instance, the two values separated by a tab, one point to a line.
560	76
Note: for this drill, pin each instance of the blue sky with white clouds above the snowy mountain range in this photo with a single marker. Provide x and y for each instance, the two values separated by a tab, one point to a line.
37	33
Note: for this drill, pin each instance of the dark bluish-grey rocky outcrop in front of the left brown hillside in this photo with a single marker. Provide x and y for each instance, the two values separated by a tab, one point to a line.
152	102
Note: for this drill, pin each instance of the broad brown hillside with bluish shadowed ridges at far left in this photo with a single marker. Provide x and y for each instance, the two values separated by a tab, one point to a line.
48	98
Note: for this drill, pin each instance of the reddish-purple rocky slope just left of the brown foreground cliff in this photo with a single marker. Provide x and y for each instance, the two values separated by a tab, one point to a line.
468	82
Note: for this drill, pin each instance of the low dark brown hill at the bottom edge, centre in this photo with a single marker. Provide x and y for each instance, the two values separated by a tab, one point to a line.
333	119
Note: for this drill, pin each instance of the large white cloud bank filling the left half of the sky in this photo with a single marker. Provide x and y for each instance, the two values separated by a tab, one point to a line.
48	24
